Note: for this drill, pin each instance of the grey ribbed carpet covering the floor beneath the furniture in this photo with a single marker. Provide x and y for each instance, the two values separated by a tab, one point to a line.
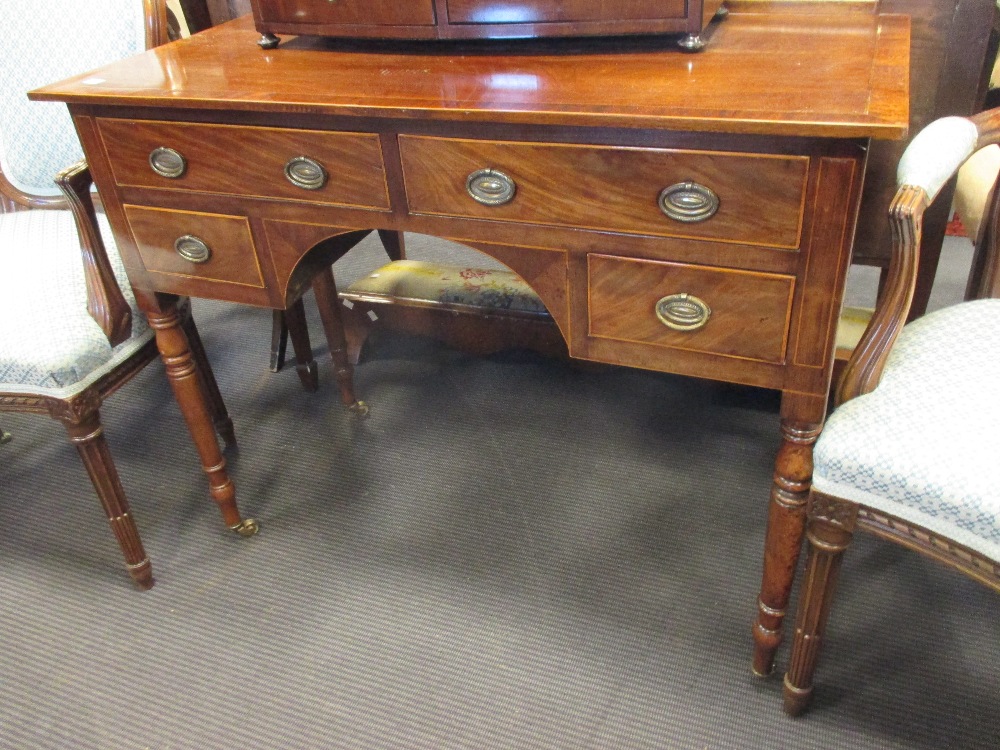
512	552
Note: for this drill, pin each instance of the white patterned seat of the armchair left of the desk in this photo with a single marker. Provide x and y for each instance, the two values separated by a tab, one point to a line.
51	345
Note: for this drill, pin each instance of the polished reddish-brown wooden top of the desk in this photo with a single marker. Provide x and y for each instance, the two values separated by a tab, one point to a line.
838	73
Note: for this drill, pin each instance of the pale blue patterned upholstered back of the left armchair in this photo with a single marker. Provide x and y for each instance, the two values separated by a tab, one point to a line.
46	41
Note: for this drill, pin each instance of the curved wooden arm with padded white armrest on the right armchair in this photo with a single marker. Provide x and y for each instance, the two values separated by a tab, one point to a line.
931	159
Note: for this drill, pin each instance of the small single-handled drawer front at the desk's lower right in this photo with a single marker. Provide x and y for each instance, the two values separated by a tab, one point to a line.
746	314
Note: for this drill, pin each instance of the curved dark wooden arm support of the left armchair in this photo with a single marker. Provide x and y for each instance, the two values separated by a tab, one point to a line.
105	301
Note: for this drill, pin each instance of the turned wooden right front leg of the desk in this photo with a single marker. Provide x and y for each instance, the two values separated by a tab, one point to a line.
801	422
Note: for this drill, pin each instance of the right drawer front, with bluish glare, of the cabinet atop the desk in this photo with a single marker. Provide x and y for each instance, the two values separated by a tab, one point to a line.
548	11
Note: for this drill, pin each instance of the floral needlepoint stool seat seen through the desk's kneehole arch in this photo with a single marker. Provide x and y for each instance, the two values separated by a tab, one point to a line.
456	285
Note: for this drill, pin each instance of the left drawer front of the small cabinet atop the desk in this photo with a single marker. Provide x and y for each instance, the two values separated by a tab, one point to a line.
364	12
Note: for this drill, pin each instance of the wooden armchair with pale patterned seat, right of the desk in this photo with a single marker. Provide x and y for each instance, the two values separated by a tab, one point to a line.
911	452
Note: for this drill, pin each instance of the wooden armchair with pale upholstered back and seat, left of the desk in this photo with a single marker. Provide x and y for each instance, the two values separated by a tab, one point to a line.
70	332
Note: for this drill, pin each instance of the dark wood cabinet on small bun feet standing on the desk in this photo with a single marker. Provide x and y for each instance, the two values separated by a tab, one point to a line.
483	19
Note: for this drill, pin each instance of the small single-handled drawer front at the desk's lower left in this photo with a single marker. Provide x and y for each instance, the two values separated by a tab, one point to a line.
231	261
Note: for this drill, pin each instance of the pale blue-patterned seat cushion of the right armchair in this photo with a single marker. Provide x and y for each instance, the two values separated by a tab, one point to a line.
925	444
